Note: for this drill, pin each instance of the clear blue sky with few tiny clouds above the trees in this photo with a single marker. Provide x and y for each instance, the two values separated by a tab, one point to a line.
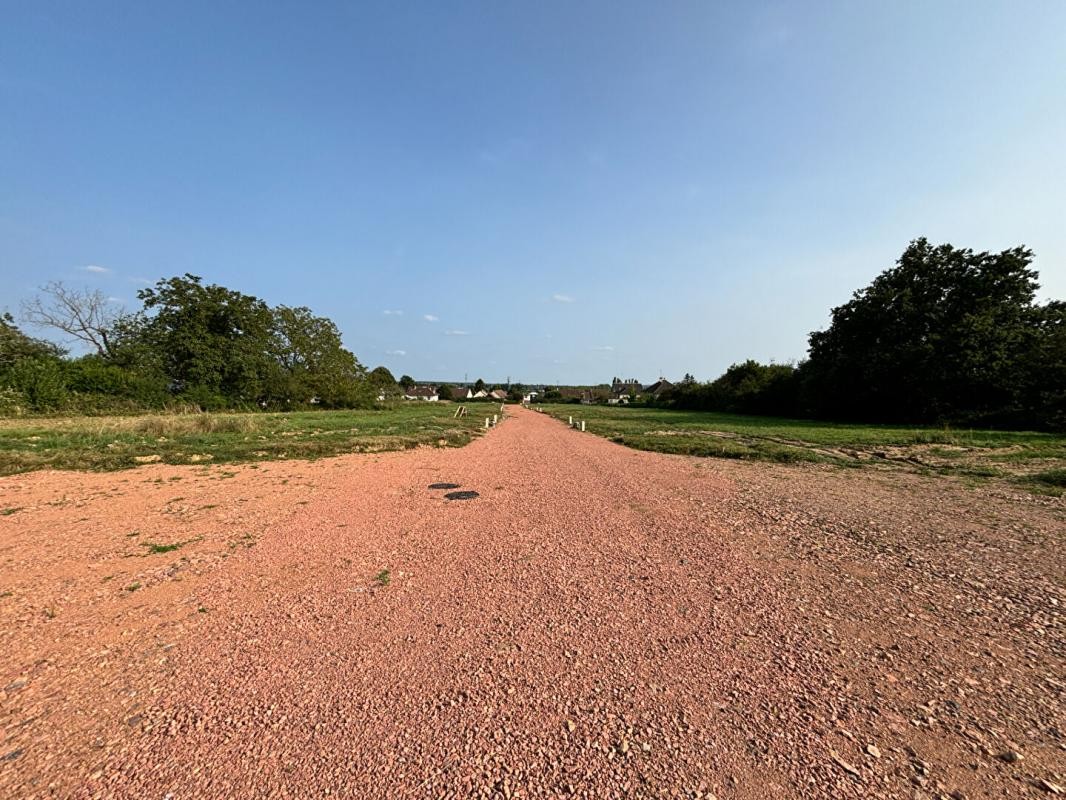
570	190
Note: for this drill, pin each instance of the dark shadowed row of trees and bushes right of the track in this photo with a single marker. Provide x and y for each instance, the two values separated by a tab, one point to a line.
945	337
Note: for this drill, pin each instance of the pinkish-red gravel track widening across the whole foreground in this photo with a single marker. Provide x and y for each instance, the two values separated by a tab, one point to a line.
600	622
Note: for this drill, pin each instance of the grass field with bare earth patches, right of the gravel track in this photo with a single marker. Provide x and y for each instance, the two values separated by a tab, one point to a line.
1038	459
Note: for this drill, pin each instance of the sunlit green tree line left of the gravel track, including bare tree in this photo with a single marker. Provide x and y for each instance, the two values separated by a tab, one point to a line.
190	344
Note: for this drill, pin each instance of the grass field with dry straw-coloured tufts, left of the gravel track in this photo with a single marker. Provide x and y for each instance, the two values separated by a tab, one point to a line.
118	443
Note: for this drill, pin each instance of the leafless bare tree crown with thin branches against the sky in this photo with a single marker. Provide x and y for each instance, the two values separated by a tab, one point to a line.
86	315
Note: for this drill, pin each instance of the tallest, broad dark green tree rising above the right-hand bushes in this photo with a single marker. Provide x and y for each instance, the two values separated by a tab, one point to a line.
945	334
